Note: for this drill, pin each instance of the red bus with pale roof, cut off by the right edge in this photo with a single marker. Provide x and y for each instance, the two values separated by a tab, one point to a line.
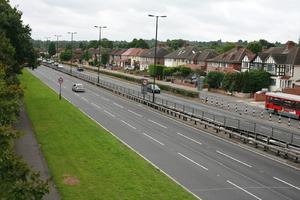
283	104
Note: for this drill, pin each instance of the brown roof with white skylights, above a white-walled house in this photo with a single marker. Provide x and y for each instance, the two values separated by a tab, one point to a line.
189	53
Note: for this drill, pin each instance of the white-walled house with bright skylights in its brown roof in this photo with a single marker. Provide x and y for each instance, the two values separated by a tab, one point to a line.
182	56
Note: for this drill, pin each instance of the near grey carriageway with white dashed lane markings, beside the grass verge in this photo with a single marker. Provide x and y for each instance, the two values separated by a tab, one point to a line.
209	167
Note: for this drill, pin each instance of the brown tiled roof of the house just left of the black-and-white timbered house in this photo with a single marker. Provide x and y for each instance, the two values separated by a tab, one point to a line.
234	55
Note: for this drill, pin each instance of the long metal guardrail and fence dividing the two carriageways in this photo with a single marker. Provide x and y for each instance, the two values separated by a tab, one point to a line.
268	137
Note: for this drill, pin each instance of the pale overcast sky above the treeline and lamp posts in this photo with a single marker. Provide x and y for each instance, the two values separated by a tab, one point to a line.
194	20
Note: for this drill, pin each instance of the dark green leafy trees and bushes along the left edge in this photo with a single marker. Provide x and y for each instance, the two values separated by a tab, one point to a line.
17	180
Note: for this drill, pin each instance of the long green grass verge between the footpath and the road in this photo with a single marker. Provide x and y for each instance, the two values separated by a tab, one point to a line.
76	146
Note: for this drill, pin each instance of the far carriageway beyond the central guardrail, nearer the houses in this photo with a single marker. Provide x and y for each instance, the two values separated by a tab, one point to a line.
238	120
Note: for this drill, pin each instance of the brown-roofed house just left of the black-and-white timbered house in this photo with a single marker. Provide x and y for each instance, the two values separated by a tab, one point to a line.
230	60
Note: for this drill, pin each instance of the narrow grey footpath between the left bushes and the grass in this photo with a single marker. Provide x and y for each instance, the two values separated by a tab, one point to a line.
28	148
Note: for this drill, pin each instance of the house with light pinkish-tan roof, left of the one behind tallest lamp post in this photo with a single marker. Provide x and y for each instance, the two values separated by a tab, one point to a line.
130	58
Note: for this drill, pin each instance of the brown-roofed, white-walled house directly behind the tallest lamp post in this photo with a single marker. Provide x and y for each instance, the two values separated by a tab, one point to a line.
147	57
